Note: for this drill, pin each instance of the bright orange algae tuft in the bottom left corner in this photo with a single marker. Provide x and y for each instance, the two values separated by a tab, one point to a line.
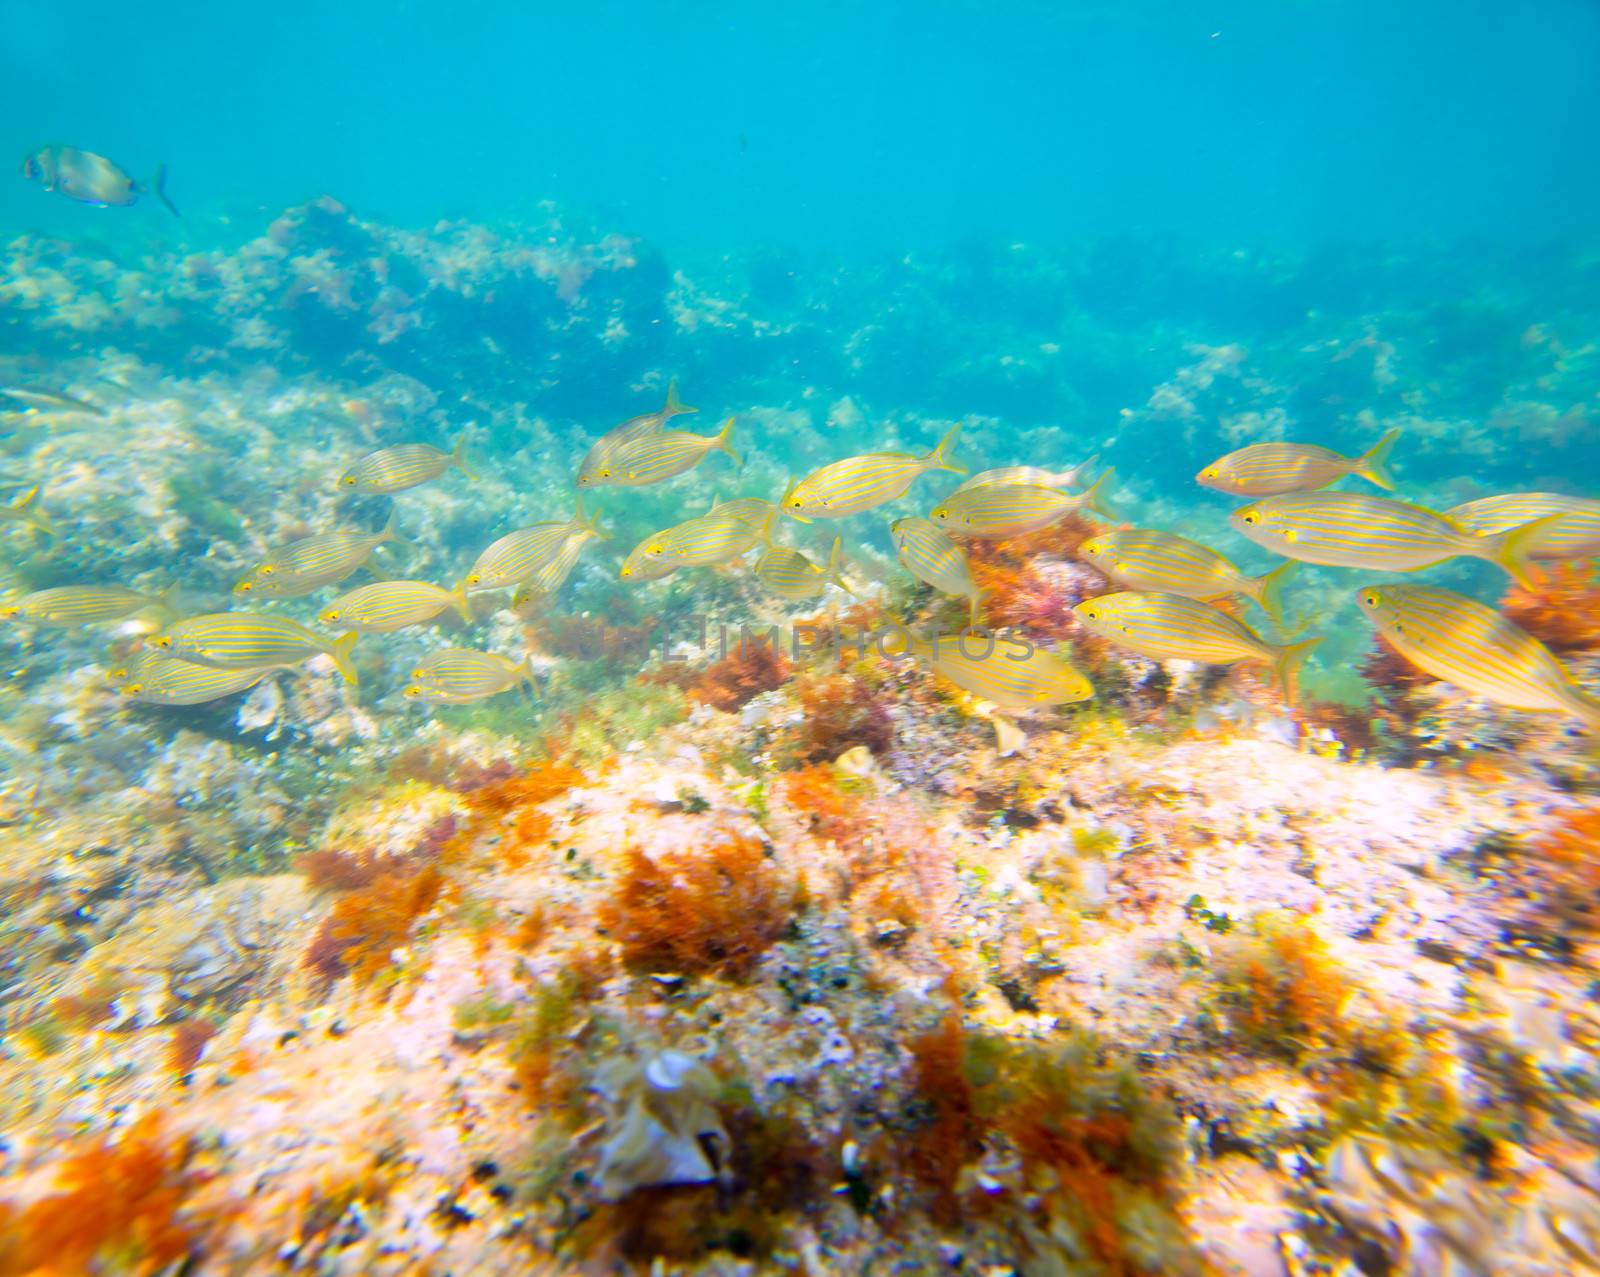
118	1209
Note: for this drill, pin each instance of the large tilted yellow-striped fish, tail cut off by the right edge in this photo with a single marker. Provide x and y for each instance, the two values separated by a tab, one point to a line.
1476	649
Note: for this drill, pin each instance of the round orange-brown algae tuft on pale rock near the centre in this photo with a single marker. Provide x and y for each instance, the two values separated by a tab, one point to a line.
711	908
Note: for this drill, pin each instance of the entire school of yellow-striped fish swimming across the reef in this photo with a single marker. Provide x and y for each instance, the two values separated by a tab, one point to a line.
1167	606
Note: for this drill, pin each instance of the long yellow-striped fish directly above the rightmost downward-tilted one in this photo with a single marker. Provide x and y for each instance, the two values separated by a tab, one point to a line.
1354	530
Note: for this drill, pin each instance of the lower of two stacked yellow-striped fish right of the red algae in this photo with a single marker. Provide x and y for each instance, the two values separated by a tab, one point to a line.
1174	628
